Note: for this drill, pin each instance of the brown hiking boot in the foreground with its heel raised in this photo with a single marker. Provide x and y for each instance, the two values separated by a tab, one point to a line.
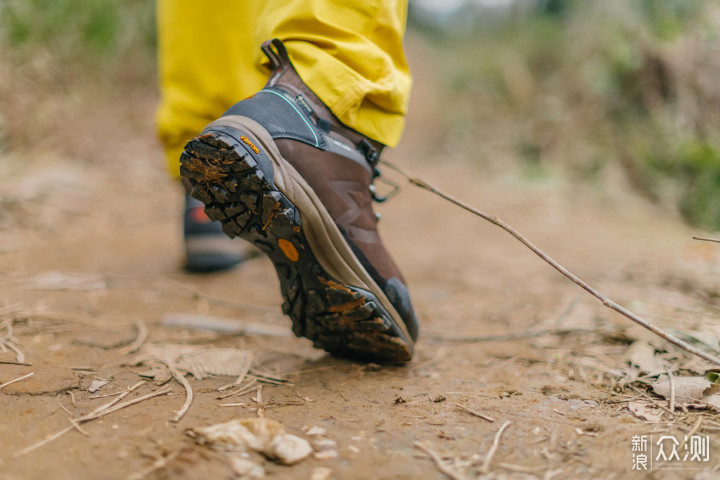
279	170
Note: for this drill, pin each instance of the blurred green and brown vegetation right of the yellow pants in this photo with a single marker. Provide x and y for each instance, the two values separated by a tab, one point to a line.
592	86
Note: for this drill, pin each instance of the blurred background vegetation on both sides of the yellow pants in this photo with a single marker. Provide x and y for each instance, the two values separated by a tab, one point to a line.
590	91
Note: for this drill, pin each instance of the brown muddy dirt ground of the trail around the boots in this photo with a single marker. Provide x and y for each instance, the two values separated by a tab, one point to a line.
90	254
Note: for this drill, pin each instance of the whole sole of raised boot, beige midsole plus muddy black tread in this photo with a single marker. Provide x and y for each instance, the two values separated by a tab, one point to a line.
239	175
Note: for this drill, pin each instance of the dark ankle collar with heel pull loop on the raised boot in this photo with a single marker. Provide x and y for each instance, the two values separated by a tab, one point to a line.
285	77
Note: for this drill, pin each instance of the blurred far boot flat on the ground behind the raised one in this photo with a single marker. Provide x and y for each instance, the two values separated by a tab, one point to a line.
207	248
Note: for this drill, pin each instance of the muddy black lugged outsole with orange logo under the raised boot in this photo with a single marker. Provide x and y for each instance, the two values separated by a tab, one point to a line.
340	319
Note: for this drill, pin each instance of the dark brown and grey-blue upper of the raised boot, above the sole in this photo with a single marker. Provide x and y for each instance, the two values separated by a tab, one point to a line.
336	161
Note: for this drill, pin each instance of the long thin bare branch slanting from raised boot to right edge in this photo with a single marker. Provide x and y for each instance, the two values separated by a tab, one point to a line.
574	278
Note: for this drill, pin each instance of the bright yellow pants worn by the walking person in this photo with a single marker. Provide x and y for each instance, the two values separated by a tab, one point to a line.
349	53
